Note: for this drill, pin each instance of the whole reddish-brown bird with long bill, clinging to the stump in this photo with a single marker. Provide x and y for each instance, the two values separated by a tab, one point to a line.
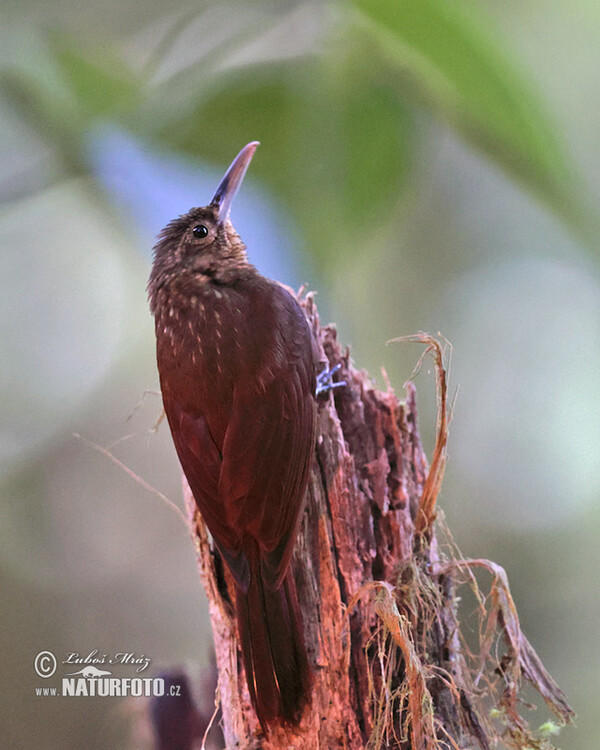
237	367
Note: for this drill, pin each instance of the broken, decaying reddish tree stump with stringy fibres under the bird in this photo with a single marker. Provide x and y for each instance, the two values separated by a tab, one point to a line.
378	593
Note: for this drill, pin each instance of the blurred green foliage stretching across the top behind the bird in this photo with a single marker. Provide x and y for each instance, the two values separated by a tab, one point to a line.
339	94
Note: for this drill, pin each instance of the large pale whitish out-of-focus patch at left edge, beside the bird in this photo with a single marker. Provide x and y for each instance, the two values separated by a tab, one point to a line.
67	305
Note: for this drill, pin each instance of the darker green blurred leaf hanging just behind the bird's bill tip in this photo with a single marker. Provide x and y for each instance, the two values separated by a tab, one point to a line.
335	142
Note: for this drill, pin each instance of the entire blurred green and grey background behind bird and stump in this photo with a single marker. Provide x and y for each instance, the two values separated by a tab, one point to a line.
425	165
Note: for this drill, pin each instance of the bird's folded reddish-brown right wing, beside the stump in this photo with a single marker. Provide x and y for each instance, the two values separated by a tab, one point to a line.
267	451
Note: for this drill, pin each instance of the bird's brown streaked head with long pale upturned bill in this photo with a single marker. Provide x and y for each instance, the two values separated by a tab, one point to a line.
202	244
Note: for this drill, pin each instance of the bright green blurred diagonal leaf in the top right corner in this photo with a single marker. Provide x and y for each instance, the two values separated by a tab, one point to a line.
443	50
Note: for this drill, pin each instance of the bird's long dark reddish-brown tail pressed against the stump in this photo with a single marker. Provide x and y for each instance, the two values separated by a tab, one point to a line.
273	651
